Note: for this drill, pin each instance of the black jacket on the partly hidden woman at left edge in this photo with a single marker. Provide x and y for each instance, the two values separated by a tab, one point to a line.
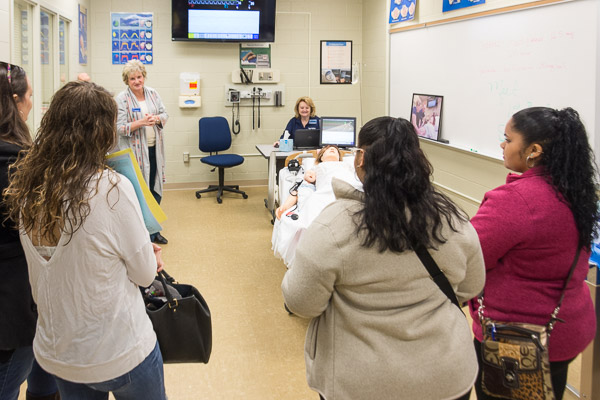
18	312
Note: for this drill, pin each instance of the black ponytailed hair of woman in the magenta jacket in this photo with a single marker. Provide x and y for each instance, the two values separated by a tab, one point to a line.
568	161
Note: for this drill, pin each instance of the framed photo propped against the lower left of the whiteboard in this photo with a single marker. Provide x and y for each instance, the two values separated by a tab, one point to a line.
426	115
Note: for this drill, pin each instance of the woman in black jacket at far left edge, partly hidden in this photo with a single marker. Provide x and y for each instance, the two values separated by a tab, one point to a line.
17	308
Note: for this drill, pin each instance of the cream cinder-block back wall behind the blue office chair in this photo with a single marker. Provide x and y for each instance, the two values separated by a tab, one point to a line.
293	54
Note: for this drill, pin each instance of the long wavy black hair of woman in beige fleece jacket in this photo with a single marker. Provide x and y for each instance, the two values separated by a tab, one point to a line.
401	209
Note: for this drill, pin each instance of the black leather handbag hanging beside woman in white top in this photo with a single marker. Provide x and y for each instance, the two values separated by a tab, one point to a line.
183	326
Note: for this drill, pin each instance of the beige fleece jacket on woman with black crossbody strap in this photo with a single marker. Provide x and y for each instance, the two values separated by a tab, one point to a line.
381	328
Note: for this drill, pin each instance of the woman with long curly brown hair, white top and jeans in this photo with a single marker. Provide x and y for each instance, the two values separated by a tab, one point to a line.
87	250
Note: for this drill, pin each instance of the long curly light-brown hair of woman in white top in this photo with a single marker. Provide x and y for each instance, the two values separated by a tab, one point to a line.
49	188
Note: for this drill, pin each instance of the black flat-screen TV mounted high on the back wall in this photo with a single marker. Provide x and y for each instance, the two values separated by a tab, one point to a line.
223	20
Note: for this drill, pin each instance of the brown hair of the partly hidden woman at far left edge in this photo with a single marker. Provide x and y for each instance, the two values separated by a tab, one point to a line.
12	127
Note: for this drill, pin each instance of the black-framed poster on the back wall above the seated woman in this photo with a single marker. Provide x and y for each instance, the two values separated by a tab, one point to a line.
336	62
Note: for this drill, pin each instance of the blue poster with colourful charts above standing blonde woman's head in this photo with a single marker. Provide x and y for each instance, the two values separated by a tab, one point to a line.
132	37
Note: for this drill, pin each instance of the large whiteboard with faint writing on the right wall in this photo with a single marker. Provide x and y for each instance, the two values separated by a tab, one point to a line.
488	68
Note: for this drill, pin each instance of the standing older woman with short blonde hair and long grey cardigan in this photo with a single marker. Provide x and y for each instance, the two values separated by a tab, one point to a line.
140	124
